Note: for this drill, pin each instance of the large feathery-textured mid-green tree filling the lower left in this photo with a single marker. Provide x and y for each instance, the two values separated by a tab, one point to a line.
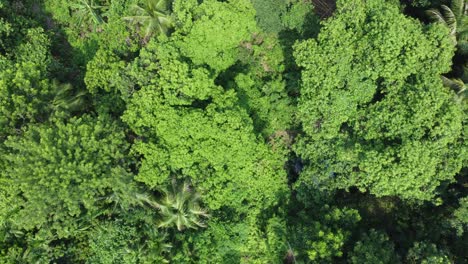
58	178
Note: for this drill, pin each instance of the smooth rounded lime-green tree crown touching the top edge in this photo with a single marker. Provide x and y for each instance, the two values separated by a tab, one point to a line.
213	38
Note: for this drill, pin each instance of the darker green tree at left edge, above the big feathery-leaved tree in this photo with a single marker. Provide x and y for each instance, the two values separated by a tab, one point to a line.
24	87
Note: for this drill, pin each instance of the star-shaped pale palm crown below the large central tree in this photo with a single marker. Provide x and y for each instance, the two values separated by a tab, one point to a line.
178	206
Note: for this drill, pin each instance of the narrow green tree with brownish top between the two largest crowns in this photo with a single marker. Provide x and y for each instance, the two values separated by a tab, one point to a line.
262	89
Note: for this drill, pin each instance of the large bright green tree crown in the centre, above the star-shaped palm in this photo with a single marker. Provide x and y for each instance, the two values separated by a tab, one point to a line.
190	126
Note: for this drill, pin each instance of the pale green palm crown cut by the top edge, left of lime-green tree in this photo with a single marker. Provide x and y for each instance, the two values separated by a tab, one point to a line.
153	16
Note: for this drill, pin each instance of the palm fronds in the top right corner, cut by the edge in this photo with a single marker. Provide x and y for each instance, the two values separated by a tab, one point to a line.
456	20
